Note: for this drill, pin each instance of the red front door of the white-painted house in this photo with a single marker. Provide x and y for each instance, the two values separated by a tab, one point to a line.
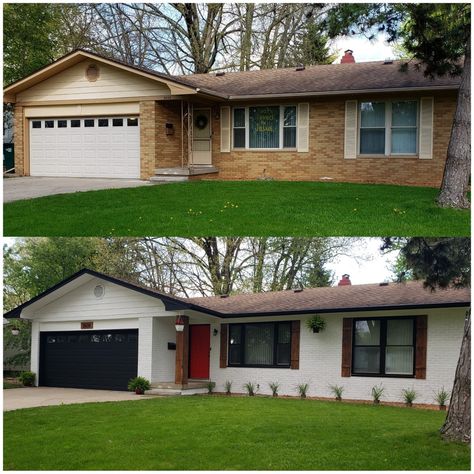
199	350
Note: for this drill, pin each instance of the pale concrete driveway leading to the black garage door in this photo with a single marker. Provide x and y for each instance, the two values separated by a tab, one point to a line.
15	398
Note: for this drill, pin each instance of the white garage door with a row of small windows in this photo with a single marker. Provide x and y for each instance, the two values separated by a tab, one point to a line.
104	147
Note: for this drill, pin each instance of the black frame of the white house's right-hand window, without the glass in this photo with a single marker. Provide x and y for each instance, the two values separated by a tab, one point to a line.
383	345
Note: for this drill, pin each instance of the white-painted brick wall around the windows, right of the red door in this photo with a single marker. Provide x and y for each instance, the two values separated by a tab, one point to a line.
320	362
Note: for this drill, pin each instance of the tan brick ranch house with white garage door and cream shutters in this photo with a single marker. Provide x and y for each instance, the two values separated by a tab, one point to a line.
90	116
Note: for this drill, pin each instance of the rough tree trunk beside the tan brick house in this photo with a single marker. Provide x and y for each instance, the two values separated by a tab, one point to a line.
455	183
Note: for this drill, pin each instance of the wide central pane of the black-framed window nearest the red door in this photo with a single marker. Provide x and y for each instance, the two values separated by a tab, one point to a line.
259	344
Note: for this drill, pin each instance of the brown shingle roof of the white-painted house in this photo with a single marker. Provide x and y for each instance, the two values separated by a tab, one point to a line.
331	299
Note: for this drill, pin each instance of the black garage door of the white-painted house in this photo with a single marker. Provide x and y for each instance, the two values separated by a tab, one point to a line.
92	359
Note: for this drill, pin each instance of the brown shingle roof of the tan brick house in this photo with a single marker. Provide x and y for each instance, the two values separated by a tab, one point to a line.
319	79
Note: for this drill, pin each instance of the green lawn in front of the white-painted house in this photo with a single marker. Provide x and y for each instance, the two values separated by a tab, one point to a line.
213	433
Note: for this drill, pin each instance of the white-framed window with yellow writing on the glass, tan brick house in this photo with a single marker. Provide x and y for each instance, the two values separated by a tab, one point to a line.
264	127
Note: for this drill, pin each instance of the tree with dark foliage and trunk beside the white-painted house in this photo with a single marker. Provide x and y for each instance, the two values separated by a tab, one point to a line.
441	263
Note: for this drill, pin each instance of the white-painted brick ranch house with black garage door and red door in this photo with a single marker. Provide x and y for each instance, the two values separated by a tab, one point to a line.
96	331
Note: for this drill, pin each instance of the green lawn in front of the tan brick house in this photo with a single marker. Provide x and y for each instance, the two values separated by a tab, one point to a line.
239	208
